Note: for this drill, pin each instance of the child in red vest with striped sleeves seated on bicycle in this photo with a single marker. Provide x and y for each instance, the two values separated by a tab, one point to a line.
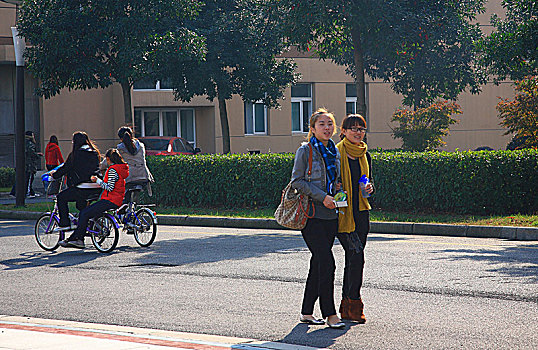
113	186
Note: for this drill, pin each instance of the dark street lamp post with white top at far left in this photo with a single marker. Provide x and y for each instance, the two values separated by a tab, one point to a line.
20	173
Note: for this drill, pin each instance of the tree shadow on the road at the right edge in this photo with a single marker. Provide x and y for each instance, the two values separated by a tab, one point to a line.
520	261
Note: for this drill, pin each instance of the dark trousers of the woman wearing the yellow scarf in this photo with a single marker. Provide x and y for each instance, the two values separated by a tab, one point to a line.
353	244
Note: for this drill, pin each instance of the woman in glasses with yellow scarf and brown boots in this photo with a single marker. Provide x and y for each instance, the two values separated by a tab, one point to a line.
354	220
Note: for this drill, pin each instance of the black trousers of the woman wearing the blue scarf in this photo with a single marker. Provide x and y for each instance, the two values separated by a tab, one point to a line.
319	237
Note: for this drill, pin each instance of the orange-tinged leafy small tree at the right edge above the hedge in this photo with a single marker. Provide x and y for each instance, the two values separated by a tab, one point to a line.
520	116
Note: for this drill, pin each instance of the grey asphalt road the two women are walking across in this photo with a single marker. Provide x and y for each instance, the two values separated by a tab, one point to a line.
421	292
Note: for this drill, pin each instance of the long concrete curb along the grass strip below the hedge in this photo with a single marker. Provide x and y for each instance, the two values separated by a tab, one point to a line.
503	232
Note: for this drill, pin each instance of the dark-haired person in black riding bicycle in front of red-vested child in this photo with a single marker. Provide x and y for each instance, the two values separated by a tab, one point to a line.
81	164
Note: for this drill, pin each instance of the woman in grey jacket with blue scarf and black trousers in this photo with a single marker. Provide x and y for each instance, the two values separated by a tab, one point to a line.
321	229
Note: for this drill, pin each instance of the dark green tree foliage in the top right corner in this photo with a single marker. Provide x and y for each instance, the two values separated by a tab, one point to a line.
511	50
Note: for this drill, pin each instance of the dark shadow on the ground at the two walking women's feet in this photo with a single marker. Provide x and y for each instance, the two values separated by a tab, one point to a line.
321	337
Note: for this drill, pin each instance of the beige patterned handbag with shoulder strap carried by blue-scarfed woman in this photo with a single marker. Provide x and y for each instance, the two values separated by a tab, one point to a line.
292	212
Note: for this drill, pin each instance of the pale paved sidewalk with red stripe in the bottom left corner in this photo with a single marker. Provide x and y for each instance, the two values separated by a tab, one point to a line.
18	333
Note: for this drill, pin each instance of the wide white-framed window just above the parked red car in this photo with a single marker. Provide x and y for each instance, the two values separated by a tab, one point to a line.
166	122
